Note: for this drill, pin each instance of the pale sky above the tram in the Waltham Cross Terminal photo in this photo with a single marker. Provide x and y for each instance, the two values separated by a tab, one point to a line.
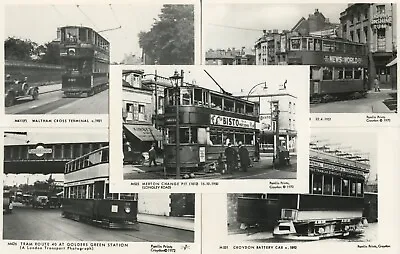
39	22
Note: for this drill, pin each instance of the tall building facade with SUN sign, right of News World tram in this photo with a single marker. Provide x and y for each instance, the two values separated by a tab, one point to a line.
374	24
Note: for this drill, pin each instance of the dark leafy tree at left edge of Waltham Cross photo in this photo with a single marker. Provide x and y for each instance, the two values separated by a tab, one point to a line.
17	49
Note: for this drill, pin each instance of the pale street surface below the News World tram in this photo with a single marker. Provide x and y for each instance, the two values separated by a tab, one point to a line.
373	103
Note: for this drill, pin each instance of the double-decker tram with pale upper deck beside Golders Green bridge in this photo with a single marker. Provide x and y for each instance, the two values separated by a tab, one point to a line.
87	196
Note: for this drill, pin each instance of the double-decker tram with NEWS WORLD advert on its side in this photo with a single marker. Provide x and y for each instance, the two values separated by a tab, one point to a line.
338	67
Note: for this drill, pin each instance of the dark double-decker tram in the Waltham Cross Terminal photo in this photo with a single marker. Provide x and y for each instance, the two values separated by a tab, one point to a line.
86	57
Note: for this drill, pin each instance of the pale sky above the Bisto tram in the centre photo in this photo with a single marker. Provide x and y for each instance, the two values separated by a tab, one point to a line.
249	76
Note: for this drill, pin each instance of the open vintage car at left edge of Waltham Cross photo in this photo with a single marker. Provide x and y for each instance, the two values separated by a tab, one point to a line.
19	89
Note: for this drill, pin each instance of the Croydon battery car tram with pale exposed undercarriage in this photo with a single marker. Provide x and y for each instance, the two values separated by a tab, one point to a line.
333	207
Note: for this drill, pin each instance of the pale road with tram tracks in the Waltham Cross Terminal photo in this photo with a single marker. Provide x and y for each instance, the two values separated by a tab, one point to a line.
52	101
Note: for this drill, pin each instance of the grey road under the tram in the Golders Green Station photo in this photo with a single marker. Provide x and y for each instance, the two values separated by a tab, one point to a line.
26	223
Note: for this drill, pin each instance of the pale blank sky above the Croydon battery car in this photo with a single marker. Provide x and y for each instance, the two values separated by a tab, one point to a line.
361	141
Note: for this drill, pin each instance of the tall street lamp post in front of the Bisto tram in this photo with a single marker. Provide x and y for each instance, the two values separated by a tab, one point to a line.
175	79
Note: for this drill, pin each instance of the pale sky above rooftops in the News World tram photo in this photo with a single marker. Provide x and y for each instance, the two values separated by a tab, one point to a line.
256	16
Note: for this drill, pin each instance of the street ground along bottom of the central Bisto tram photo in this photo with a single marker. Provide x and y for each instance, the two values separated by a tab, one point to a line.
262	169
